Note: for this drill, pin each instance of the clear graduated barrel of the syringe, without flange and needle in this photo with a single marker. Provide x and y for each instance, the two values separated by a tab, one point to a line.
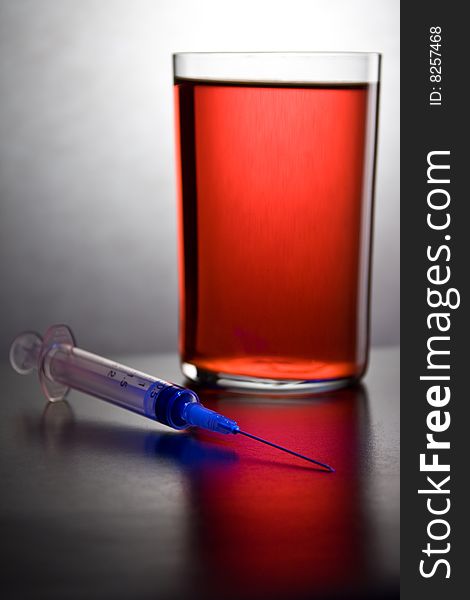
136	391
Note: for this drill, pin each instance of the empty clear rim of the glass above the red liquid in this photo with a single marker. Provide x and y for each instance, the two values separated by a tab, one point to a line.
303	67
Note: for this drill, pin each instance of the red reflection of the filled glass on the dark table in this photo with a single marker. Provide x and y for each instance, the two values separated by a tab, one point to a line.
275	526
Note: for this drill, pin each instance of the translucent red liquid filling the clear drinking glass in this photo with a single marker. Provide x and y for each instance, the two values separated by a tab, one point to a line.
276	192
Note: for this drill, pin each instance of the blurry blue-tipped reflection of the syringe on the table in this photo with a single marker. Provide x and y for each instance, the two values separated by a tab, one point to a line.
58	432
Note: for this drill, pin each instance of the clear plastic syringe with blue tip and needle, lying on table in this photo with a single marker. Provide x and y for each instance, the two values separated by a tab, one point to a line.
61	366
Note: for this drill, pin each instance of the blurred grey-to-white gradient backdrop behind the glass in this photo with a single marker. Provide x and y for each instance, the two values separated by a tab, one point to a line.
87	186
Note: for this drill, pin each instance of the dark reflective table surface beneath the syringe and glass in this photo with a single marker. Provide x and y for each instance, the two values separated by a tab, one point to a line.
99	503
